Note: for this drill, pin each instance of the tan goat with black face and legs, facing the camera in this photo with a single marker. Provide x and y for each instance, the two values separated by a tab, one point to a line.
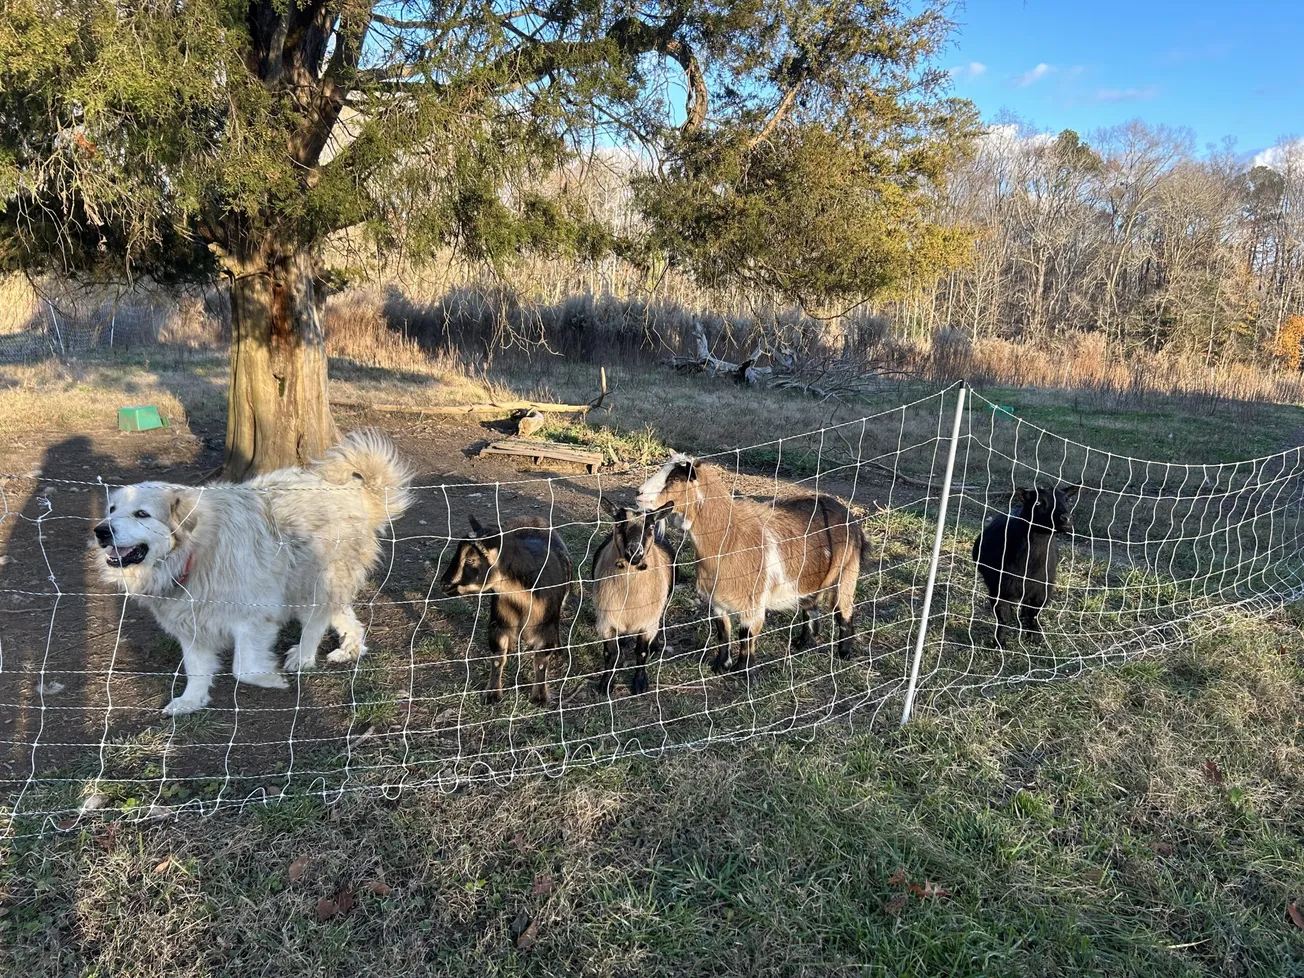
633	578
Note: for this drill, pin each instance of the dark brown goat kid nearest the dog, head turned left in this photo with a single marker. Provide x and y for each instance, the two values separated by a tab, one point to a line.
527	570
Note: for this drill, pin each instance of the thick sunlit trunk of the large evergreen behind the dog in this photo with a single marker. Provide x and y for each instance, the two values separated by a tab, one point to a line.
278	411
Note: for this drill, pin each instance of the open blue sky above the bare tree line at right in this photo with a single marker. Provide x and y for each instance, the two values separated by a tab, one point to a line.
1220	68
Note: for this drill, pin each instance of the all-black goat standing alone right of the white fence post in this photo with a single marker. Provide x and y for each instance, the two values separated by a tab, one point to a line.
1018	556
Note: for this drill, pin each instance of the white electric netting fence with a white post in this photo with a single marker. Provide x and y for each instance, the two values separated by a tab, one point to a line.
1160	552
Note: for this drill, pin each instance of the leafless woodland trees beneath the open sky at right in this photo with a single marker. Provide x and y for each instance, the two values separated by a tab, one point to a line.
1129	234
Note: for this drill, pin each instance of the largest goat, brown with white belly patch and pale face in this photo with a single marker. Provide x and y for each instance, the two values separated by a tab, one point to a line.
757	557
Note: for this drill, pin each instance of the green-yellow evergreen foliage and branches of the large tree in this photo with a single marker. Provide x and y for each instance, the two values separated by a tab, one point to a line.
156	139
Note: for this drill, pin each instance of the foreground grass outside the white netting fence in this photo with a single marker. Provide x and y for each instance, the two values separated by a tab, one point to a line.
1073	830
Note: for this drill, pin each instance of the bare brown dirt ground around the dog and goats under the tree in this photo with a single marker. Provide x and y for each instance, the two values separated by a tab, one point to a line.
85	675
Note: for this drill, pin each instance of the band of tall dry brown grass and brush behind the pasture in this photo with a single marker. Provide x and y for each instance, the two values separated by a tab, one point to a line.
530	329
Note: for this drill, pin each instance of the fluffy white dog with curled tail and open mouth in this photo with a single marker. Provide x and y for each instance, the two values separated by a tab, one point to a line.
228	565
